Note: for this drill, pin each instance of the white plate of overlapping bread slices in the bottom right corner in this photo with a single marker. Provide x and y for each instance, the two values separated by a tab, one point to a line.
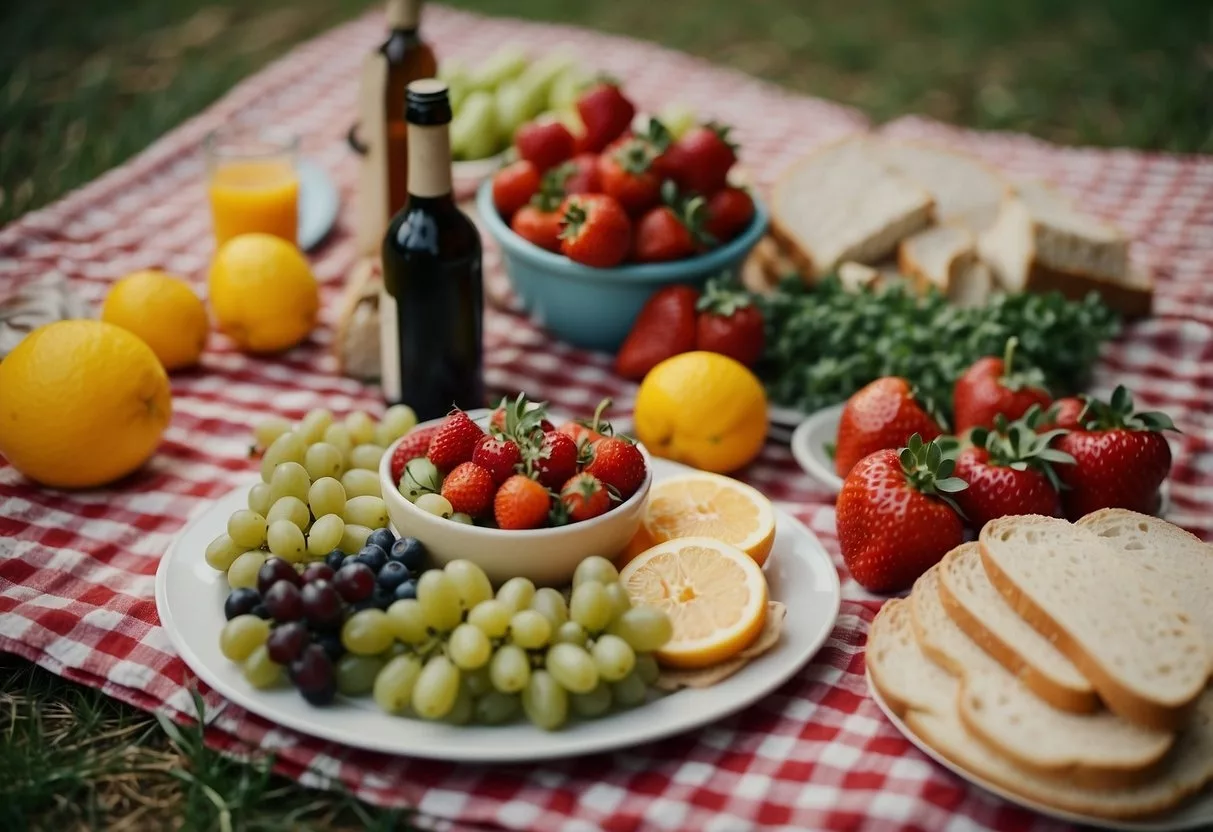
1064	668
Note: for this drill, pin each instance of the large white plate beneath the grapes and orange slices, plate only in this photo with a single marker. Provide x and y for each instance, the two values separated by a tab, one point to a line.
190	601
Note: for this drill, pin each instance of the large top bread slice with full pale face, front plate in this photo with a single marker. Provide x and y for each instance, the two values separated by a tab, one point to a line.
1114	620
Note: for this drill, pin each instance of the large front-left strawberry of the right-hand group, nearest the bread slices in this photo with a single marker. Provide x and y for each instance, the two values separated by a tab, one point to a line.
896	516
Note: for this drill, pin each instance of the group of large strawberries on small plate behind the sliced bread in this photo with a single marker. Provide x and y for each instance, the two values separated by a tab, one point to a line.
912	492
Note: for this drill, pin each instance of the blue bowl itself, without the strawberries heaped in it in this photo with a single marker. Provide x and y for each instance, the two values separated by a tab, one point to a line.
596	309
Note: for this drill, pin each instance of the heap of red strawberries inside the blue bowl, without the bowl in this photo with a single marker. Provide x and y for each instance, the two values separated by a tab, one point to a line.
611	196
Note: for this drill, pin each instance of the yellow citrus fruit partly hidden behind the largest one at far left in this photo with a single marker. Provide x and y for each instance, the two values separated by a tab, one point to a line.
163	311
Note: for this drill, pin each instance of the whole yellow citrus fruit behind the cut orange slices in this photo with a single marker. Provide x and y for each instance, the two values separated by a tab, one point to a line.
703	409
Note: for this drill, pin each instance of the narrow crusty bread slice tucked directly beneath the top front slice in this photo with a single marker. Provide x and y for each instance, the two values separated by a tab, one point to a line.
986	617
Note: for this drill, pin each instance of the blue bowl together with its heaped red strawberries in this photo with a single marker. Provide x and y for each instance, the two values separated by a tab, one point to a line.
591	224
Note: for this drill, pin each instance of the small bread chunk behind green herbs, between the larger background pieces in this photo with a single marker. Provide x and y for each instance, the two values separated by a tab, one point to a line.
947	258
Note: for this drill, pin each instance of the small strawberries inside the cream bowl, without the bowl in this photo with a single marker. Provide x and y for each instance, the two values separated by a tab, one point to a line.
523	474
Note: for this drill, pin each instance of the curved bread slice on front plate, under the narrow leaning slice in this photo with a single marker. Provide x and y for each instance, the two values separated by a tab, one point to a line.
1096	750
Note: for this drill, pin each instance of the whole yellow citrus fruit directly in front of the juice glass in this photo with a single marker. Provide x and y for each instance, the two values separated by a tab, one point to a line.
263	293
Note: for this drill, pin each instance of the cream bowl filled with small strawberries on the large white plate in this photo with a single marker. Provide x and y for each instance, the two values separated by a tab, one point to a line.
516	494
